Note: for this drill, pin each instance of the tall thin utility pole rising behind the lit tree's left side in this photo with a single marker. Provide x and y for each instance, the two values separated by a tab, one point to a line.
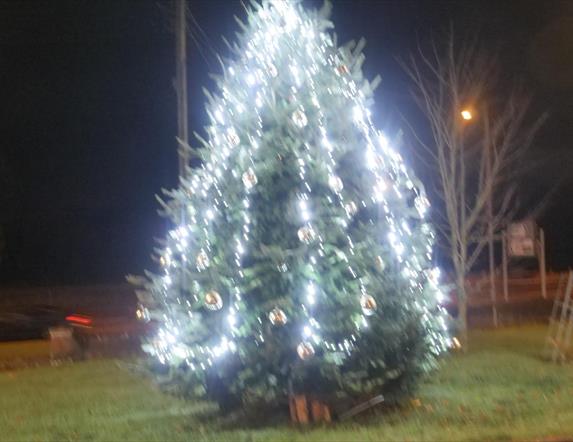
181	85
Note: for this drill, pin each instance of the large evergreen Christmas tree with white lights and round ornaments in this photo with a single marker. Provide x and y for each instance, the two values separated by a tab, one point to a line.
300	260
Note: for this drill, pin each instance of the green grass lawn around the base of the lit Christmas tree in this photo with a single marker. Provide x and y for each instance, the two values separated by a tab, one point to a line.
500	390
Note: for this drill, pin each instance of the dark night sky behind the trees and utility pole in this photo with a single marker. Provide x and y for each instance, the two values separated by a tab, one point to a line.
88	115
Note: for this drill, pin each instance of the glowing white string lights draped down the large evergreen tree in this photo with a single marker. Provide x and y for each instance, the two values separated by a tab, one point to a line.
277	29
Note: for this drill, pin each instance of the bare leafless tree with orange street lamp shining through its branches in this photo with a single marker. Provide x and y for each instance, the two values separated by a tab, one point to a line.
478	154
